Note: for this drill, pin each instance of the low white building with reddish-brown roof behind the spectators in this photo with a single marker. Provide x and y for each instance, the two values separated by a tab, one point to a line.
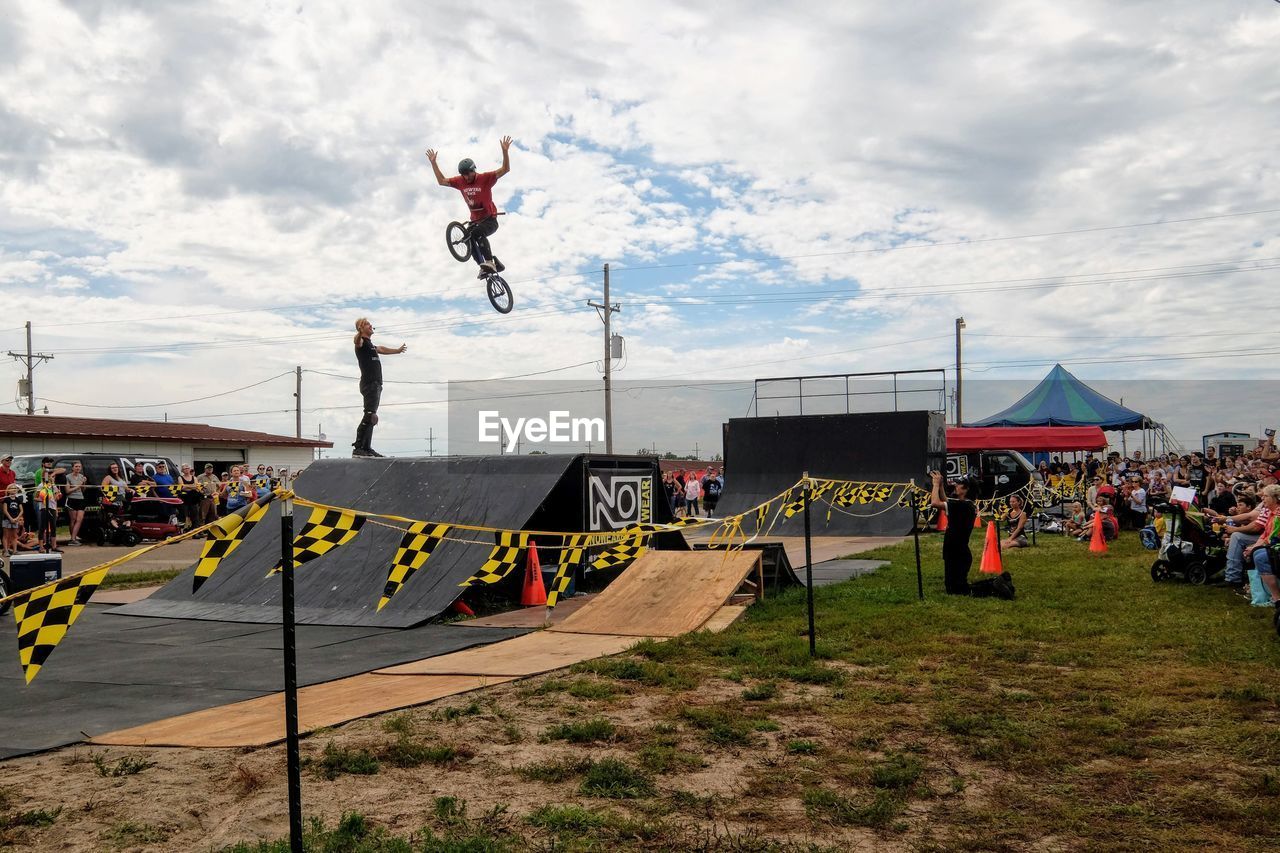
194	444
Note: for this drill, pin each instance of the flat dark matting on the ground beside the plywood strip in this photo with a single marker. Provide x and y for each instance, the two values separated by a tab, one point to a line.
113	673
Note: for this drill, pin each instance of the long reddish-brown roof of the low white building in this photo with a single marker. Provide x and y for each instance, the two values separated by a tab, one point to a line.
104	428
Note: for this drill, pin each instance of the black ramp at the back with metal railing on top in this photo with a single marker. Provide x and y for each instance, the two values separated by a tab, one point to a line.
764	457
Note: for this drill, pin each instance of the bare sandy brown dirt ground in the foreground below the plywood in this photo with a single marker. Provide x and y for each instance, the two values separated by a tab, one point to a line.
199	800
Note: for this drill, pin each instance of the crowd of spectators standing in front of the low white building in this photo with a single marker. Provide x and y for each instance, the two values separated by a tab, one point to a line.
31	513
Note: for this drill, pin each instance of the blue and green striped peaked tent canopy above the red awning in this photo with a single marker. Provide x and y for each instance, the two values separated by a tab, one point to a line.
1062	400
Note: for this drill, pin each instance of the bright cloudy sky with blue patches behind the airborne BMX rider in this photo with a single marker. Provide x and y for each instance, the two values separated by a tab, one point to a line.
200	197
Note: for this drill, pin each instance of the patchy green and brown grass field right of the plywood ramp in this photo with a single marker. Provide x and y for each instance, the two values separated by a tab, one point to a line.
1098	711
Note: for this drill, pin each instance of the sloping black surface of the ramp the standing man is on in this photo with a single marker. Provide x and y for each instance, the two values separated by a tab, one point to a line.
344	587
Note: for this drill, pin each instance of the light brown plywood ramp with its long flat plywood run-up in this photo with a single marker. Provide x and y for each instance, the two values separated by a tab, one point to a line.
665	594
